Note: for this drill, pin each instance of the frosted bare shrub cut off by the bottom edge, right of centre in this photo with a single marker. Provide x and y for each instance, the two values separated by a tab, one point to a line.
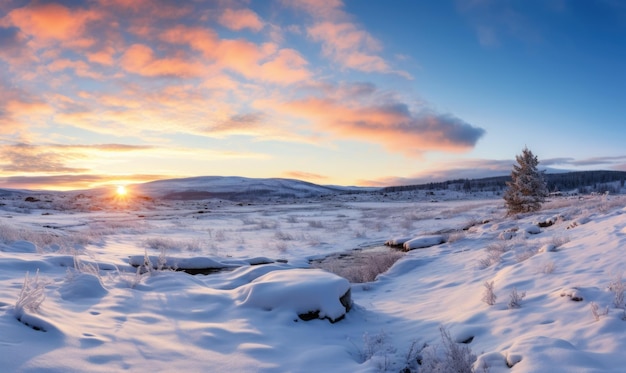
455	357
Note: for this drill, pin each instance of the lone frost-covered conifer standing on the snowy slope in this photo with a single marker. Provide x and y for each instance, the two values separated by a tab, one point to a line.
527	188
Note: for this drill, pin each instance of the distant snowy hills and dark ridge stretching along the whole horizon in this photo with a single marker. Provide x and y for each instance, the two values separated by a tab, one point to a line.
237	188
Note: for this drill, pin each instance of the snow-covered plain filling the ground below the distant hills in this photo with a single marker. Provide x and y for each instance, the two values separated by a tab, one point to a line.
71	302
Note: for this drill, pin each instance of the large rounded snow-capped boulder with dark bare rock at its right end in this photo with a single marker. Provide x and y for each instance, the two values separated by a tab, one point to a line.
307	293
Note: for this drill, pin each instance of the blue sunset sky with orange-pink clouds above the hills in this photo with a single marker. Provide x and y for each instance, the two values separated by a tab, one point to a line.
370	93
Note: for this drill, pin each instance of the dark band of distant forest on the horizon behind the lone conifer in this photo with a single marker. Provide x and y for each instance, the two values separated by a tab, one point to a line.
578	182
